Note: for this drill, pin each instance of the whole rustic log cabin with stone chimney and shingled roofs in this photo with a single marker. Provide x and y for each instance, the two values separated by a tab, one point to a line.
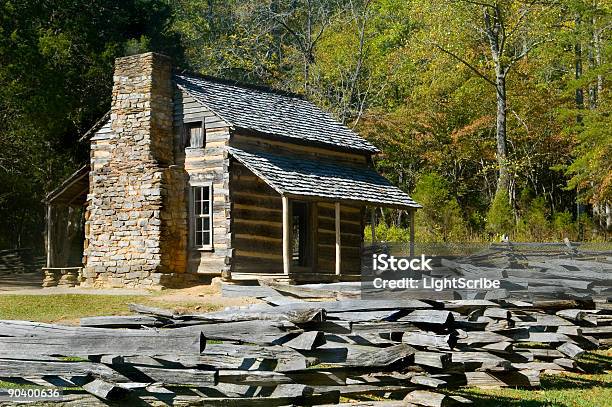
191	176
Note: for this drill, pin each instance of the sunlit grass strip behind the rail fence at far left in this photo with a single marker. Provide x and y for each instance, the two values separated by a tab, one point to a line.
70	307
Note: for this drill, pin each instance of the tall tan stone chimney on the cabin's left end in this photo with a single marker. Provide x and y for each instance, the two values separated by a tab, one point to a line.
130	216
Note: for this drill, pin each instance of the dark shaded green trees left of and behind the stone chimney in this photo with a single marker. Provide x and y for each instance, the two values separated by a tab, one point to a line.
56	63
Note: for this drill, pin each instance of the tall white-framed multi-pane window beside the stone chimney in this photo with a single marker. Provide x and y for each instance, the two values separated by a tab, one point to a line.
201	216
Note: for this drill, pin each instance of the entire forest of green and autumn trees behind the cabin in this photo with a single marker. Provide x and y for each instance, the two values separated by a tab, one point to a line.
495	115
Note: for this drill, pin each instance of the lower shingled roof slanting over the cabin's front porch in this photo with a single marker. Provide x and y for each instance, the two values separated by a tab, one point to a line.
298	177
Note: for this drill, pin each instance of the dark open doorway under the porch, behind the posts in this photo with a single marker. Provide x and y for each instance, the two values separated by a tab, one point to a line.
301	234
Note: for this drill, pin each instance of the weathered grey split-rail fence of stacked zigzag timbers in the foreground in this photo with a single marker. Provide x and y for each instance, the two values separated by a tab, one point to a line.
292	349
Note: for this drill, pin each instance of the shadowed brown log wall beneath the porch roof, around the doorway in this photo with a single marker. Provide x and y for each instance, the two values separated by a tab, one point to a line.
257	226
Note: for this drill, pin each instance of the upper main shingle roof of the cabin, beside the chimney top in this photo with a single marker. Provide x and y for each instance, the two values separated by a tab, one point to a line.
273	113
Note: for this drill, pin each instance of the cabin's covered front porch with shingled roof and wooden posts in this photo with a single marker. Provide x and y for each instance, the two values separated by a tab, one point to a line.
319	202
